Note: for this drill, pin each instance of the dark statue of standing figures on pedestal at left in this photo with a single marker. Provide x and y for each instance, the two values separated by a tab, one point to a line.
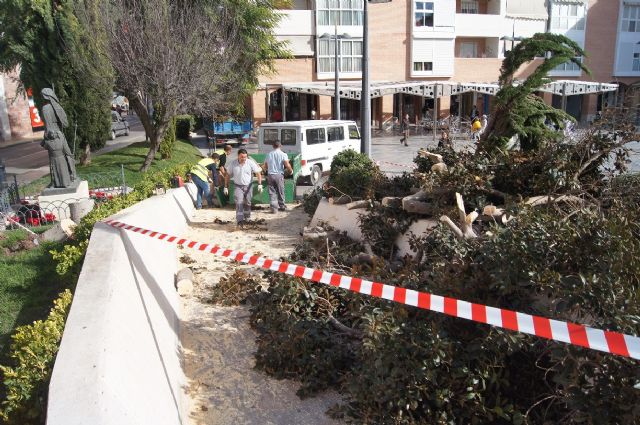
61	161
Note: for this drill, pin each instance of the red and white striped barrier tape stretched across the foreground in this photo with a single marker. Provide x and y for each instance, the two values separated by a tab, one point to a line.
571	333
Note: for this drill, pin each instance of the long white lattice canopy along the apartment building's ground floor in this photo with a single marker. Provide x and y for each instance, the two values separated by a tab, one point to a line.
430	89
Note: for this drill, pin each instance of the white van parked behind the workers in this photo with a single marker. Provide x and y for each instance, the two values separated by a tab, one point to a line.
317	141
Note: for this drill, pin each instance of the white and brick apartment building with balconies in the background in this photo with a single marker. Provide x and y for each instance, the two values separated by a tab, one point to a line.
448	41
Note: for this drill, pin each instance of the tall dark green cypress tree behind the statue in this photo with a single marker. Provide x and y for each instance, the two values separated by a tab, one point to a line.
46	41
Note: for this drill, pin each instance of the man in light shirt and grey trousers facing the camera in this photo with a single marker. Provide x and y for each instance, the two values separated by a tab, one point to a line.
242	171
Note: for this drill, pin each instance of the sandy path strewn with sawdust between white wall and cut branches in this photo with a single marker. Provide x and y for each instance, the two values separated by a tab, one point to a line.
219	345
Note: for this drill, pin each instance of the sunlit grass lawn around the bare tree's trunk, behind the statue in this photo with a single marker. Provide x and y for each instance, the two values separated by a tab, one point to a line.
104	170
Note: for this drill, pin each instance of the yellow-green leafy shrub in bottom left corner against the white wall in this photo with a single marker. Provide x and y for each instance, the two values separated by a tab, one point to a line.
33	351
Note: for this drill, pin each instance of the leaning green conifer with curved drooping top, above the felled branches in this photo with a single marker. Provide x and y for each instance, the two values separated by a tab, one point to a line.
517	110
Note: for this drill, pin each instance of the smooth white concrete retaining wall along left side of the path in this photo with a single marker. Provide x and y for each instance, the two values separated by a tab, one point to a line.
120	357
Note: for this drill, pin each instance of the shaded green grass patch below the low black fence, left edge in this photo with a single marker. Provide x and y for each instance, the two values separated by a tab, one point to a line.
28	284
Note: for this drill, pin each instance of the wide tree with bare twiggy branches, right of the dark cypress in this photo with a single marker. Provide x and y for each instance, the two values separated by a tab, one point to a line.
187	56
